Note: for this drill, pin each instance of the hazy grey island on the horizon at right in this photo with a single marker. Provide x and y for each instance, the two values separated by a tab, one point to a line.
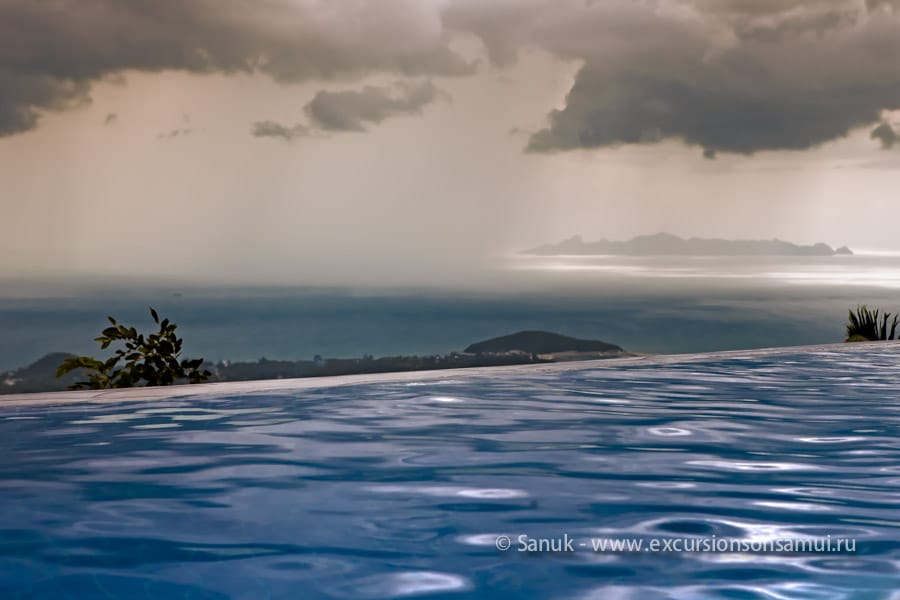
666	244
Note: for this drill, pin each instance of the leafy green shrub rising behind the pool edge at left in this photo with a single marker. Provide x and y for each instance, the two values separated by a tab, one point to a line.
148	360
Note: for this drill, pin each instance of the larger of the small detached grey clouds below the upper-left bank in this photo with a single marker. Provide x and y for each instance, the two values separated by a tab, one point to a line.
352	110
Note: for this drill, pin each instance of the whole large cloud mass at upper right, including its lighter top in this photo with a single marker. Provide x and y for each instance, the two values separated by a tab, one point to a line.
717	82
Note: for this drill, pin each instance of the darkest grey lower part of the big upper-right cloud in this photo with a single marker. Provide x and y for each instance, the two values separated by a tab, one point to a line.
609	110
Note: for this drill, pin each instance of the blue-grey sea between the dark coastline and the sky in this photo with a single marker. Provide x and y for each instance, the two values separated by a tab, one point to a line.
647	305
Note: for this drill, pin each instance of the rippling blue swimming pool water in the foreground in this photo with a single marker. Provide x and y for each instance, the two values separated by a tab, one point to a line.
402	488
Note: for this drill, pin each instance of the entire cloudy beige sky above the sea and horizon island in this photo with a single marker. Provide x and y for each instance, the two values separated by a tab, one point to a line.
421	141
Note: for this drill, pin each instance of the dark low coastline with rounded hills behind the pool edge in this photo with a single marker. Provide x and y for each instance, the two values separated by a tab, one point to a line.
524	347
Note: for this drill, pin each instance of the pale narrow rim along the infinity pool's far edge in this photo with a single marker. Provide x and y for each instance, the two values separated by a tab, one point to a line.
273	385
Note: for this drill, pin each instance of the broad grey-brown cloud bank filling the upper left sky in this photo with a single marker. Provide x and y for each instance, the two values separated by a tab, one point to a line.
52	51
